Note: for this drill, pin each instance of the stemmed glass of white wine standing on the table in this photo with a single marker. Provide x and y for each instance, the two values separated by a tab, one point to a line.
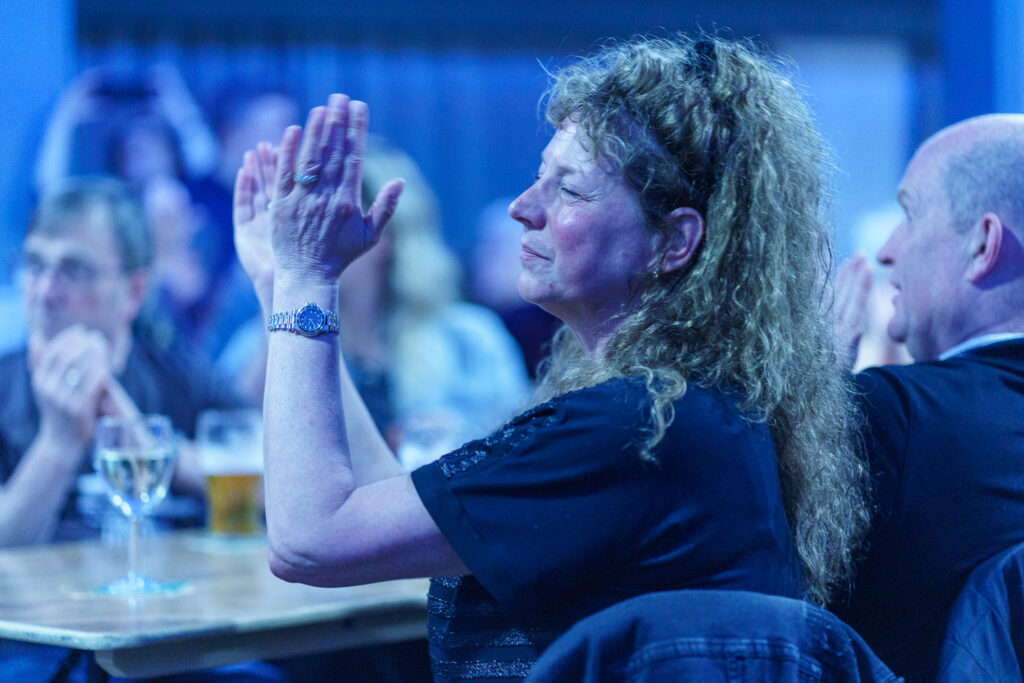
135	457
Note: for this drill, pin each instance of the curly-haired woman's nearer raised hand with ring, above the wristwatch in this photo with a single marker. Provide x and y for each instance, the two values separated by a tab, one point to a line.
319	226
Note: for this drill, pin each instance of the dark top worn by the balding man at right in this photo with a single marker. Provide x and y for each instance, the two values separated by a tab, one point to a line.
946	444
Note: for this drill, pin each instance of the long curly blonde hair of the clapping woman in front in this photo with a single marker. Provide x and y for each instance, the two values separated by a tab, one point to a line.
713	125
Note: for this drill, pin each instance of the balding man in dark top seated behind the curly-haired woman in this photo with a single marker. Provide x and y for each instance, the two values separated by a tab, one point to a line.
946	435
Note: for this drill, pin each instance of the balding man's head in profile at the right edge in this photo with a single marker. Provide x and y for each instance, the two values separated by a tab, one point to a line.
957	260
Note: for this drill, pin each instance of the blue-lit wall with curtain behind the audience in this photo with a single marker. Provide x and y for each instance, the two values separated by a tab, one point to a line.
457	83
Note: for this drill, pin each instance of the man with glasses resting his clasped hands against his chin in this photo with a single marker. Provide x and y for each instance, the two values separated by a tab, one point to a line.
84	276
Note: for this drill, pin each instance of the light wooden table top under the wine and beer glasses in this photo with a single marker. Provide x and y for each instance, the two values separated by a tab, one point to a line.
231	610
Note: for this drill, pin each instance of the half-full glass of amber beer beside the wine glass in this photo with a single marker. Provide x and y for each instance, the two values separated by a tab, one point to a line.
231	455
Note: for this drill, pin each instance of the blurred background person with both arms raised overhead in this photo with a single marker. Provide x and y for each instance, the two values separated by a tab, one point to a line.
145	127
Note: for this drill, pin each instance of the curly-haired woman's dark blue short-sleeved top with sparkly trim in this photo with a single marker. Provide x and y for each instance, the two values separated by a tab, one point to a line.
558	518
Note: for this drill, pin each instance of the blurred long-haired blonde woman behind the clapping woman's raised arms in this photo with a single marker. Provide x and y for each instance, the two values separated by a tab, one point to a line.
434	370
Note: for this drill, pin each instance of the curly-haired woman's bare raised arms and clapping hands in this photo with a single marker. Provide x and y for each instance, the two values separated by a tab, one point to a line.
326	526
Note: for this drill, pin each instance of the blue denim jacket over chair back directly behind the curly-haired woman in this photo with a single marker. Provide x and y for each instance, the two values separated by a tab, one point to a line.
711	636
